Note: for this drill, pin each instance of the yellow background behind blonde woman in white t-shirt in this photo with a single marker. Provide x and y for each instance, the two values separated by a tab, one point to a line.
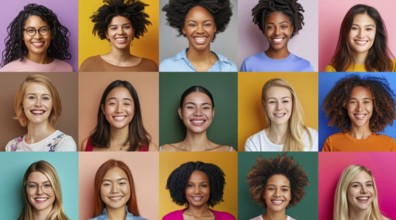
250	109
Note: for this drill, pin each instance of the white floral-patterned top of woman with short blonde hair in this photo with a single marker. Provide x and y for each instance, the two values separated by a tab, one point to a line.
57	141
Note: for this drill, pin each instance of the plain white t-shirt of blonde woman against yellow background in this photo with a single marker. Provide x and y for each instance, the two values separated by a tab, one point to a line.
260	142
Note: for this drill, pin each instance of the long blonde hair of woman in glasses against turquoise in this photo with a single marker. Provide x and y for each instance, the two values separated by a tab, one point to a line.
49	171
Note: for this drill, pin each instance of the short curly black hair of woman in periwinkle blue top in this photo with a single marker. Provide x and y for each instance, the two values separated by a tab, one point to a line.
291	8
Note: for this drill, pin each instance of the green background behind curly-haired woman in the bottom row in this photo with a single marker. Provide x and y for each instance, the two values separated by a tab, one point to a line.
306	209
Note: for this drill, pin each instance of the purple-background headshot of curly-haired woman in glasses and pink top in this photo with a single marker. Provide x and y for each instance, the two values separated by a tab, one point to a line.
39	37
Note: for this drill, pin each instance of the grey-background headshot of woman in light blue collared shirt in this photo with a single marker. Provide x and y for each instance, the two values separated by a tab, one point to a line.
201	24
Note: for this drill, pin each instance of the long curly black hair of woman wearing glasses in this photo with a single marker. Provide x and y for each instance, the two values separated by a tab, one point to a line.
15	46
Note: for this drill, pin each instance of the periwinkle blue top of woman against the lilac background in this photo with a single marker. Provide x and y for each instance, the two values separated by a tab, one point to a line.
262	63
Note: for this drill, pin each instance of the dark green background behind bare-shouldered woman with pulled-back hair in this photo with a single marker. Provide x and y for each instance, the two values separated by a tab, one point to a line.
223	87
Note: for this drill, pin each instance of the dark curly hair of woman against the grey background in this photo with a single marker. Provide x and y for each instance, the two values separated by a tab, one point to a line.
176	11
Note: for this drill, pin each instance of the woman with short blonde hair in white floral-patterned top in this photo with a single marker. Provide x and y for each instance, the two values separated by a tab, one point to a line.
38	107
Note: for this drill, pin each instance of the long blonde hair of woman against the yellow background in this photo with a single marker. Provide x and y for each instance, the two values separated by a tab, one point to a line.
296	128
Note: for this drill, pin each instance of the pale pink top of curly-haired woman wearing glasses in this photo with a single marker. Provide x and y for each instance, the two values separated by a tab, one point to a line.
27	65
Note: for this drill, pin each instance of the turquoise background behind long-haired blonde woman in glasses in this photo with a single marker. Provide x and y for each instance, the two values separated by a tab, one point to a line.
13	166
